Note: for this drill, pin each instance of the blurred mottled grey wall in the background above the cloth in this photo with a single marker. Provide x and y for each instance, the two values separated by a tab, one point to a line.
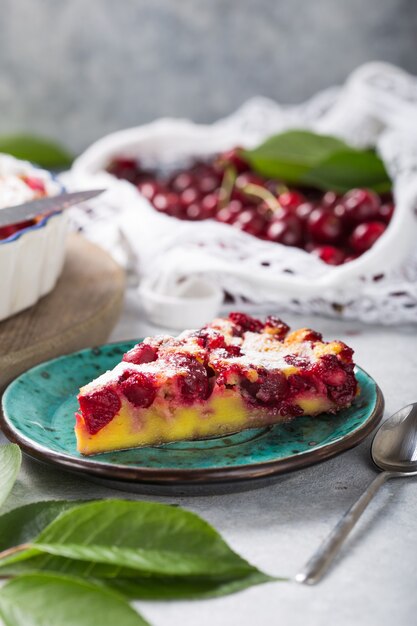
78	69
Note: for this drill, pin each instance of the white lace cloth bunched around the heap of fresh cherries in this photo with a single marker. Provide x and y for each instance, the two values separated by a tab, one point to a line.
185	267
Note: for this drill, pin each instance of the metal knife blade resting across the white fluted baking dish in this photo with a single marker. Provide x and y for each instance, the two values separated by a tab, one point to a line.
44	206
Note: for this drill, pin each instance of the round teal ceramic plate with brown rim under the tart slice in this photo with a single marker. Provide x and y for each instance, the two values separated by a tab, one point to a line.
38	414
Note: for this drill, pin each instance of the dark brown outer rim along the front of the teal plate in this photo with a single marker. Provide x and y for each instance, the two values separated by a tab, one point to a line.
182	477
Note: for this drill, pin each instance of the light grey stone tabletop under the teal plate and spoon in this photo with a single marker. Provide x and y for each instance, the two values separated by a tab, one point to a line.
278	527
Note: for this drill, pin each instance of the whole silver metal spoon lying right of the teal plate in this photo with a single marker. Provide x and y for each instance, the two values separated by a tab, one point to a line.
393	450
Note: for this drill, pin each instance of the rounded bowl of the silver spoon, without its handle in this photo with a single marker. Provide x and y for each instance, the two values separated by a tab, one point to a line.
394	447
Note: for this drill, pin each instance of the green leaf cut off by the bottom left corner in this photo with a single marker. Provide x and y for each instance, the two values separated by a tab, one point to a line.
43	599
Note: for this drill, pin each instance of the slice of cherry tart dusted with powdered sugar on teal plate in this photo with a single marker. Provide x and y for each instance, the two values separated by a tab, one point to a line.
233	374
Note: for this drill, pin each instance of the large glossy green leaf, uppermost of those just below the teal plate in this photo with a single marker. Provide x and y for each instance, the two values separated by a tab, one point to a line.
127	538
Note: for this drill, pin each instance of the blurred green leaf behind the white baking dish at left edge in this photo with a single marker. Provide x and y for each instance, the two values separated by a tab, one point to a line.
44	152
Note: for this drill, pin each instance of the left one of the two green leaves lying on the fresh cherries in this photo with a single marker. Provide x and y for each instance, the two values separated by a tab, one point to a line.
290	155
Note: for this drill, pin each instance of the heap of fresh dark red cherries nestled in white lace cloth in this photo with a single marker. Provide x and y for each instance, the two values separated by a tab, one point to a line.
336	227
